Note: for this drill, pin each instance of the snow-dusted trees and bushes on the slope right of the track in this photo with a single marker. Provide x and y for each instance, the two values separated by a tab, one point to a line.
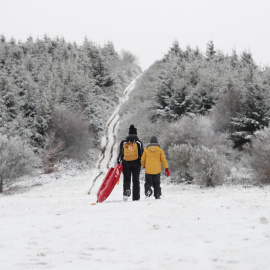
207	108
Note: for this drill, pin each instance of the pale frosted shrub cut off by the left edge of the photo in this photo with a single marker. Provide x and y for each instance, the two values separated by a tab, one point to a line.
16	159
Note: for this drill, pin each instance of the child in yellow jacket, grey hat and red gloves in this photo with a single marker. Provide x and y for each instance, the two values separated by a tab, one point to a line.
151	160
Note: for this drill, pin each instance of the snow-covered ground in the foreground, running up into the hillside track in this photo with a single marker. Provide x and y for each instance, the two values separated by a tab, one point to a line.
54	226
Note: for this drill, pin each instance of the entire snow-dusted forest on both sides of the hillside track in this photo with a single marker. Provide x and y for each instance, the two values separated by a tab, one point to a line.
209	110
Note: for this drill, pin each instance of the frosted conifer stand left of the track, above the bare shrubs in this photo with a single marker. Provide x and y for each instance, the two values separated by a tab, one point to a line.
39	77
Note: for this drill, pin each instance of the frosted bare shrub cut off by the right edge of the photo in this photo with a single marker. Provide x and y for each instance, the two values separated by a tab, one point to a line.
260	155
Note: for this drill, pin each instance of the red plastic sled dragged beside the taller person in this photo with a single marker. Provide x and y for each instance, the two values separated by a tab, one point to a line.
112	177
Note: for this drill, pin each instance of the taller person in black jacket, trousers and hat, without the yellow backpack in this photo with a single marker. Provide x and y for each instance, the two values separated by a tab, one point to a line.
131	168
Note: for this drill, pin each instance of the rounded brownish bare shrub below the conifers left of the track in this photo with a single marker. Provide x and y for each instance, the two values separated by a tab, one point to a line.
72	133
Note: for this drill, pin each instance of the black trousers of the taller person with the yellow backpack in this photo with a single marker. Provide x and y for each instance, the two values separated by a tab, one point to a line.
132	168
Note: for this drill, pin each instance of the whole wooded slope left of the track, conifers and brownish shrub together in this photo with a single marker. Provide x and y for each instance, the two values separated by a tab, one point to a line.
56	95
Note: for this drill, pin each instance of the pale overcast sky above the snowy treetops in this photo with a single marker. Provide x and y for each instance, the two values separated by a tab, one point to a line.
146	28
